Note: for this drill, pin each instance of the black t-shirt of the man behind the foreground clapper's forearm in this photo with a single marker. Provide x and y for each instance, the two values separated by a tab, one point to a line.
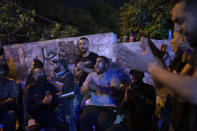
179	109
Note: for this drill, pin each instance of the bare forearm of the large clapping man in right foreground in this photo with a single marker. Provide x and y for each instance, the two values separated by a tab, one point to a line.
184	85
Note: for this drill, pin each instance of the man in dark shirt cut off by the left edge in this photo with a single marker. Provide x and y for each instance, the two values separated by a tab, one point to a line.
8	99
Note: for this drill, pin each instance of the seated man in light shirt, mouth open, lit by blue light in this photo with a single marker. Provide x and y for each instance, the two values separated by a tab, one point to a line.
102	85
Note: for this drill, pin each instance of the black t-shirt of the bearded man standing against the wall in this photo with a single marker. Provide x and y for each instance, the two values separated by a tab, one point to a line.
91	60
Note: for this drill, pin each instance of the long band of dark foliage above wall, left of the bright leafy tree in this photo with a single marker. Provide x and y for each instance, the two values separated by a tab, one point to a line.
33	20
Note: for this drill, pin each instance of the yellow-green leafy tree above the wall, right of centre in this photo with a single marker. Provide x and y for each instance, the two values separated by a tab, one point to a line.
149	18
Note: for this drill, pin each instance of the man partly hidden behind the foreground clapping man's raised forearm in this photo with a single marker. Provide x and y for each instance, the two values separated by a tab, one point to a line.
179	107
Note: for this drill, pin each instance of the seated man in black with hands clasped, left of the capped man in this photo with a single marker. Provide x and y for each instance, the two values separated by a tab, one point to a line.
41	101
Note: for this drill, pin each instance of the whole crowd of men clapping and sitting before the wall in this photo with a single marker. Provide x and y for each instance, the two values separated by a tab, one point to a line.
106	97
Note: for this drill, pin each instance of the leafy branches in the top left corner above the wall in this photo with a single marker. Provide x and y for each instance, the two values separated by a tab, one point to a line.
14	23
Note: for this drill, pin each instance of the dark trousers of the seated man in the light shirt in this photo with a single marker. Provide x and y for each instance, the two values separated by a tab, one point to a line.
102	117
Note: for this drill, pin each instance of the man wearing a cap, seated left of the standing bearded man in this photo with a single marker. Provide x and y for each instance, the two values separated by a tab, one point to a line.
64	81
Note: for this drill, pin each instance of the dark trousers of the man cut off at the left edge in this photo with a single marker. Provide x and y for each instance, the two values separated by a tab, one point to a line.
8	119
